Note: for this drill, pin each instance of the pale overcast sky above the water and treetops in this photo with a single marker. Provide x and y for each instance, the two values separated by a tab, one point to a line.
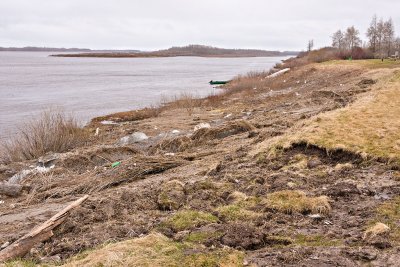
157	24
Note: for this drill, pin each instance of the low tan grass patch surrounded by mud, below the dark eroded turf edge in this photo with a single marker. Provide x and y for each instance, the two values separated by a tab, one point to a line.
288	201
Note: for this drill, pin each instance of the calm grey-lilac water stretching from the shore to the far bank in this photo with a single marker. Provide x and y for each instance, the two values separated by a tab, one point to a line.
31	82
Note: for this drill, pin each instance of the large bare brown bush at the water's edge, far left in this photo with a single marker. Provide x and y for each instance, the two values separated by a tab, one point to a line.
53	131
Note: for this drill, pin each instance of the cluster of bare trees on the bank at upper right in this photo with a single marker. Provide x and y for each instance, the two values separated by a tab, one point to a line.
381	41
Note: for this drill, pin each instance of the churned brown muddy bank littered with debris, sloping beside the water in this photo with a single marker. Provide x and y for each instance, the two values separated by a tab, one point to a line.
208	168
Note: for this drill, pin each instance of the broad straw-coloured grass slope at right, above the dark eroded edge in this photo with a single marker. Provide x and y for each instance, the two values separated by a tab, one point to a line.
368	127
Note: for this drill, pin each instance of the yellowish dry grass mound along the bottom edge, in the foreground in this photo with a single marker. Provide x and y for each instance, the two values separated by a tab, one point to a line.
156	250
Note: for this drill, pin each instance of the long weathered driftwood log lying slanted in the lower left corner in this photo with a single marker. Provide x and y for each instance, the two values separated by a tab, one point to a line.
39	234
